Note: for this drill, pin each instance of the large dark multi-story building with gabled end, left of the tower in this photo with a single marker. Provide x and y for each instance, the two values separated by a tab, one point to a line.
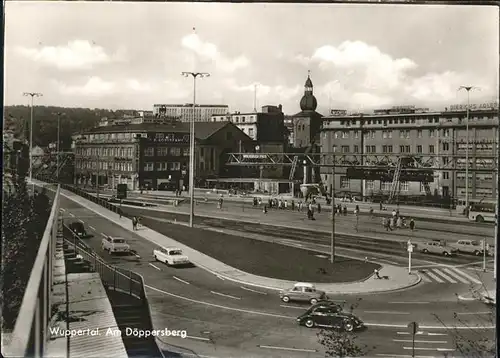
153	155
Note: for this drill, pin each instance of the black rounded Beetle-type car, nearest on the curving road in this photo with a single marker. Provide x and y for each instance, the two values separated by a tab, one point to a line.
332	316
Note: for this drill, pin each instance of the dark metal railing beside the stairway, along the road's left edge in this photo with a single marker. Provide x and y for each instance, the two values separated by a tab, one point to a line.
112	277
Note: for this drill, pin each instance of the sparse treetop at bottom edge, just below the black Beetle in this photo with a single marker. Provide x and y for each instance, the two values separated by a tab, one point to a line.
340	343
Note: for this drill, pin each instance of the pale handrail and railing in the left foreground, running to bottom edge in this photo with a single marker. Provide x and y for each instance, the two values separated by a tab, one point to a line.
30	335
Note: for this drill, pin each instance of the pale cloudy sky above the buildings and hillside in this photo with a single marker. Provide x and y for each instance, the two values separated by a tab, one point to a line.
130	55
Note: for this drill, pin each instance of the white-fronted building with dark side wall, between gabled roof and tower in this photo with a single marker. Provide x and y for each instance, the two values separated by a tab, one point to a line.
265	126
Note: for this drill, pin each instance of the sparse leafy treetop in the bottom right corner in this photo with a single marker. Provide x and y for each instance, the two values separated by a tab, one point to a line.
474	340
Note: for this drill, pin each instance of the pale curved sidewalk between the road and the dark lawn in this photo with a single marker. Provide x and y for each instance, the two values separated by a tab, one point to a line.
399	277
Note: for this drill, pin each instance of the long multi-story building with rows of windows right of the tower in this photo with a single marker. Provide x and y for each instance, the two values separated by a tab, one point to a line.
406	130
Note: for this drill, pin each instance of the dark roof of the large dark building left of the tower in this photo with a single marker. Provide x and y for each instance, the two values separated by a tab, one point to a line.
202	130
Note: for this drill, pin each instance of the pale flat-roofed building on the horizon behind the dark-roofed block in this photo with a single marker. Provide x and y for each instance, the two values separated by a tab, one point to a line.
184	112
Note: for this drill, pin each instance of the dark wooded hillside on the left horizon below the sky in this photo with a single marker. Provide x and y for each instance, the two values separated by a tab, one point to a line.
73	120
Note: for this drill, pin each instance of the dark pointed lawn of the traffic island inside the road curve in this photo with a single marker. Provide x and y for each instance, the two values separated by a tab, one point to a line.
266	258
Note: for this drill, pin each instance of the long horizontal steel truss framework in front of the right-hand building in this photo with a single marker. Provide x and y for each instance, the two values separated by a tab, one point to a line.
413	162
